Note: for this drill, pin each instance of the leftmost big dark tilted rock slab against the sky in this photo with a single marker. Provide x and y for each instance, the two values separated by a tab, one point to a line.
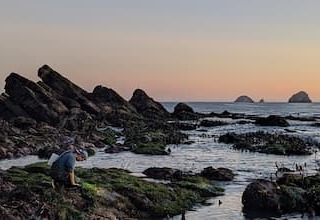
33	99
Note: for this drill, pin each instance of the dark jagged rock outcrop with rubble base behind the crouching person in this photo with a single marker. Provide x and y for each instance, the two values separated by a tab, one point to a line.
37	114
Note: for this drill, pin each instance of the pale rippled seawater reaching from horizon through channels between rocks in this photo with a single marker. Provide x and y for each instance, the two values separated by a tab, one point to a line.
206	151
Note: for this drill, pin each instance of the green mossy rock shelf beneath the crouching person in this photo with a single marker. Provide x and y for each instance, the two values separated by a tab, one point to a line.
103	193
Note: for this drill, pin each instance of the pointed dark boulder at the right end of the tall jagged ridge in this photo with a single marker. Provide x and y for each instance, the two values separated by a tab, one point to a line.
146	106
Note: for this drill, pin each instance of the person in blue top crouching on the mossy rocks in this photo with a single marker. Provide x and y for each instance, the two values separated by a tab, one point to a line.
62	169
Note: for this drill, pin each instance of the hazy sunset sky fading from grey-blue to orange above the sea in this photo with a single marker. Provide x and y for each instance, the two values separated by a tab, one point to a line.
177	50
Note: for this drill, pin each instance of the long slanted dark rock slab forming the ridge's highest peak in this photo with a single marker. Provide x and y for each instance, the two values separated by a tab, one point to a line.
66	88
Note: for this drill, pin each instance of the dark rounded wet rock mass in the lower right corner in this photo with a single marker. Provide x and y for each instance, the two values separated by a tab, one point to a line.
292	193
